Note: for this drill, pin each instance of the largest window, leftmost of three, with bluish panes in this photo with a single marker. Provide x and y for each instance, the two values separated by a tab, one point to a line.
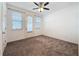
16	20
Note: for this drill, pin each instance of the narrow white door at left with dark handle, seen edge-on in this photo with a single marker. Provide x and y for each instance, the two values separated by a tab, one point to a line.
4	26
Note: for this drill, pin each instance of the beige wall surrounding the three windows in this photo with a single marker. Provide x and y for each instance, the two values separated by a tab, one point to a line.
13	35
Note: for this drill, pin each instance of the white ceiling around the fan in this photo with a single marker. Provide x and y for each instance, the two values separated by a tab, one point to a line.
54	6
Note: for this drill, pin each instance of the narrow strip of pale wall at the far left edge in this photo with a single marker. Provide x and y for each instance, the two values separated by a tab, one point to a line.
0	29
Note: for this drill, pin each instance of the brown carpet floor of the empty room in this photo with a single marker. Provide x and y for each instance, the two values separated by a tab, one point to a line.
41	46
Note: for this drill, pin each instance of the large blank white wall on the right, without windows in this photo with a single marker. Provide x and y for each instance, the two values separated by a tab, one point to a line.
62	24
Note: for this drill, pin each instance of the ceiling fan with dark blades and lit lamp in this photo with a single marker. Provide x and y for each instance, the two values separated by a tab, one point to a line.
41	6
